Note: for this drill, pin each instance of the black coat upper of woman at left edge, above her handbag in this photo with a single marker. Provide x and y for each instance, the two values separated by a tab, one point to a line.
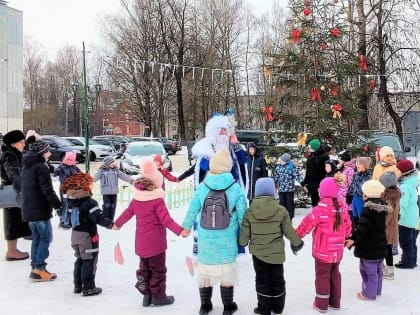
10	164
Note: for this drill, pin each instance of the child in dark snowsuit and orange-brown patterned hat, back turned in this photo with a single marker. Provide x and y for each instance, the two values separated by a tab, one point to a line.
85	215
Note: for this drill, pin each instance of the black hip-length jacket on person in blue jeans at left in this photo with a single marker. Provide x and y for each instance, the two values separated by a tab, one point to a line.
38	195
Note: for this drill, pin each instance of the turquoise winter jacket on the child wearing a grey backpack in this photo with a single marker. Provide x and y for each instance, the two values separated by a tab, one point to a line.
217	246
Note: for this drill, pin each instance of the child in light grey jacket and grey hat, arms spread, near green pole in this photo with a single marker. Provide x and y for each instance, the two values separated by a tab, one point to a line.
108	173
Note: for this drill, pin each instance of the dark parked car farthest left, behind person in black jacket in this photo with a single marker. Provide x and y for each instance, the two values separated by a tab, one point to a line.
59	147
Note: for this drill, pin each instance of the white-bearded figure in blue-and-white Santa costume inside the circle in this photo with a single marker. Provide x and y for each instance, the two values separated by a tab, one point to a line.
204	149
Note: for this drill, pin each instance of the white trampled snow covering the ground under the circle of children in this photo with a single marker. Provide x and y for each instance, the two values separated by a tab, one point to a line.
22	296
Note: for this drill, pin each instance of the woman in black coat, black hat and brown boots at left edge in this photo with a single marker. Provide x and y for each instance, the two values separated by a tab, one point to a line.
10	163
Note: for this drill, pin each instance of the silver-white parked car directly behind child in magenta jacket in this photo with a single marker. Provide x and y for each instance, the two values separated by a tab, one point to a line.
136	150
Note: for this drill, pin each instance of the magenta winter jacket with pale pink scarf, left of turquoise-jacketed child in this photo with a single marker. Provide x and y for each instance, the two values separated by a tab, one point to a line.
152	220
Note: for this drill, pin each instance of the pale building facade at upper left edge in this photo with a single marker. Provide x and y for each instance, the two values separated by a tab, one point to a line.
11	68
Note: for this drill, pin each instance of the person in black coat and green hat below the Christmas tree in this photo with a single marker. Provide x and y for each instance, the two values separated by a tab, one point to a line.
315	169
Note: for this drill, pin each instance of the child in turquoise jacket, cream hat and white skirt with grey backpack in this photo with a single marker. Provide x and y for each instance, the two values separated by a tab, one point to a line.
218	247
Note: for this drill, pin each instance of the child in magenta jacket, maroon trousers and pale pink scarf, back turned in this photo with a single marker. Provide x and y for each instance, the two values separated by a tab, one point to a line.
148	205
